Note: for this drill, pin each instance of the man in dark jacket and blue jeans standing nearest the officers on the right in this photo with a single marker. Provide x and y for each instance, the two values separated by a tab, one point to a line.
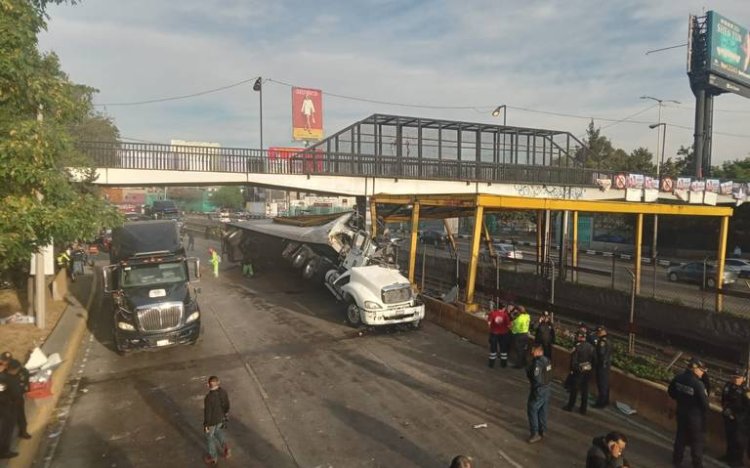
539	373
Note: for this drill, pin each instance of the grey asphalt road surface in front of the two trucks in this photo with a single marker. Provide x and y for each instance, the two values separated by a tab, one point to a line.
308	391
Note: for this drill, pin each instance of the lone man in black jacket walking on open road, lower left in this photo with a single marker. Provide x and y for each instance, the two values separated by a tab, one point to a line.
215	416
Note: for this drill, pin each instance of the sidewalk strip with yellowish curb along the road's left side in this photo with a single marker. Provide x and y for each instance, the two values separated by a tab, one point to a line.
64	339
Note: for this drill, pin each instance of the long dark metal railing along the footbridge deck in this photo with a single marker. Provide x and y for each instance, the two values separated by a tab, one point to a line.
244	160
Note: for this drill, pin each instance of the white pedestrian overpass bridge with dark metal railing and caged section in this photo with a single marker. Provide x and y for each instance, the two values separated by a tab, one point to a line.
389	154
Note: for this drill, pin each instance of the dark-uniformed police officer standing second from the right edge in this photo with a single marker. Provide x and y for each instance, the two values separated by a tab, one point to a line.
692	403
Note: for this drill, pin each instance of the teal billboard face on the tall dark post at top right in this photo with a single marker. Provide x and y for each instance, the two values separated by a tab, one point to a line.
728	49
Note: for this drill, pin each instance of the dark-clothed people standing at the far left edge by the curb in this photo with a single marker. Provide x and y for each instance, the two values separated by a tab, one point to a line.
14	383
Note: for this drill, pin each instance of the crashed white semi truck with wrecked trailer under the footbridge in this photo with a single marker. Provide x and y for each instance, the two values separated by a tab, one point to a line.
333	250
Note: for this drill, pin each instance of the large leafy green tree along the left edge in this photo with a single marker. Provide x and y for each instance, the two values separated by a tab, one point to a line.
40	199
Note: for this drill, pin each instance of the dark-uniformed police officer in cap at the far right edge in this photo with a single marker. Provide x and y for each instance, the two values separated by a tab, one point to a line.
735	409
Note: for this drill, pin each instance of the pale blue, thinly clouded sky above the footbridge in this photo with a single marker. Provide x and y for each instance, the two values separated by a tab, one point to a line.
556	64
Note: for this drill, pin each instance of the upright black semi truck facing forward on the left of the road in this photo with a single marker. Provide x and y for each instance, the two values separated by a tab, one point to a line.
149	278
